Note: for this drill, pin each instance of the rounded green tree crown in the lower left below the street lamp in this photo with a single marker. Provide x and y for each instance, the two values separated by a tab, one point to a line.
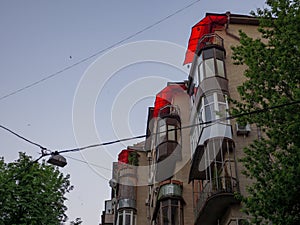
32	192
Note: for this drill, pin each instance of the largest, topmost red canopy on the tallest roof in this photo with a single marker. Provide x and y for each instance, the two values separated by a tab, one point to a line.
205	26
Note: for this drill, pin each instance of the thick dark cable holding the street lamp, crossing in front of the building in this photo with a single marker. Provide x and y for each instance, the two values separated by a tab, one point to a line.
143	136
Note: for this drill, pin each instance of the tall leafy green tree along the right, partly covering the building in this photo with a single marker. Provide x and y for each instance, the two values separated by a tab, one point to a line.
273	78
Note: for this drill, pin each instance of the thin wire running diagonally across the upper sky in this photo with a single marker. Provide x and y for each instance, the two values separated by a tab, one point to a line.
98	52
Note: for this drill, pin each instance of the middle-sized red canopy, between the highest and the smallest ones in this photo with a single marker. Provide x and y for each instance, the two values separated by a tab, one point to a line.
165	96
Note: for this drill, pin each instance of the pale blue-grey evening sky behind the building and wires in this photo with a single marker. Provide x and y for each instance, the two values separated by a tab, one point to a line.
104	62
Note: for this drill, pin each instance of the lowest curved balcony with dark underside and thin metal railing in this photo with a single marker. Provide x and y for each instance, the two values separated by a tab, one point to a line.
215	197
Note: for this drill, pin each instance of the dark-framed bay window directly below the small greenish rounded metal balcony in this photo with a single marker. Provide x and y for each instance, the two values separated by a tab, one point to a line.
170	212
